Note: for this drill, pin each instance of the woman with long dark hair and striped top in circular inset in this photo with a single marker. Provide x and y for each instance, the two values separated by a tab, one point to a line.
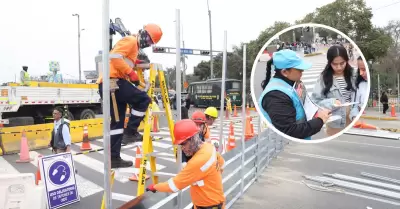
334	87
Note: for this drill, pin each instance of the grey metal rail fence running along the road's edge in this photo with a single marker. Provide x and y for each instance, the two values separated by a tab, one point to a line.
257	155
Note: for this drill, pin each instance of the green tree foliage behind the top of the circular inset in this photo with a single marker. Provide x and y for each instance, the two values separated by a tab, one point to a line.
352	17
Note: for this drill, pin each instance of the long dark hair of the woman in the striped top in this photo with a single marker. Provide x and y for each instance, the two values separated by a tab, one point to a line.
327	74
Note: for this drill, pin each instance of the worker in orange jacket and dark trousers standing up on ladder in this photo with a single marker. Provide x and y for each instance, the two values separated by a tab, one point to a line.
123	57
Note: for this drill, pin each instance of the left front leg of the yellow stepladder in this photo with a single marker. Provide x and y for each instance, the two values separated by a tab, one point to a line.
146	136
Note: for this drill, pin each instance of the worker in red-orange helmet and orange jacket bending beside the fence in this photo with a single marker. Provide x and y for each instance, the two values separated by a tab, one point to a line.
202	172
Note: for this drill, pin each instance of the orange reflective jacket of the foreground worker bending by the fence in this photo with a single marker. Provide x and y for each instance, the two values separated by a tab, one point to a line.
202	173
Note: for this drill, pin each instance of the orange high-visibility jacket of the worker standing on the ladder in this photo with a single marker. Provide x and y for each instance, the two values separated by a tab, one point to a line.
122	58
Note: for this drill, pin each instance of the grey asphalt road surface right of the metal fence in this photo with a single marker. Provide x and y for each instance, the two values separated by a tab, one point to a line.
281	185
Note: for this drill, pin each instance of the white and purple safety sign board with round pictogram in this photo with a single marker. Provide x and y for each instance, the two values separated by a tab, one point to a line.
58	172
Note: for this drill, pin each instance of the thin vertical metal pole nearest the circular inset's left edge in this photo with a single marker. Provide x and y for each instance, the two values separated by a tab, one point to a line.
243	119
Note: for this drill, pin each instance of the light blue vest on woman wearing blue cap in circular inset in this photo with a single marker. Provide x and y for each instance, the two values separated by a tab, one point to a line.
280	85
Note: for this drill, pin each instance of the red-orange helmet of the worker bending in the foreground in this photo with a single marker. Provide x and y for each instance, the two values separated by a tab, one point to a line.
184	130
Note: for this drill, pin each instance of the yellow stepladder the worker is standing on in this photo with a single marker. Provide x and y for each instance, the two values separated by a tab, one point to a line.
147	145
